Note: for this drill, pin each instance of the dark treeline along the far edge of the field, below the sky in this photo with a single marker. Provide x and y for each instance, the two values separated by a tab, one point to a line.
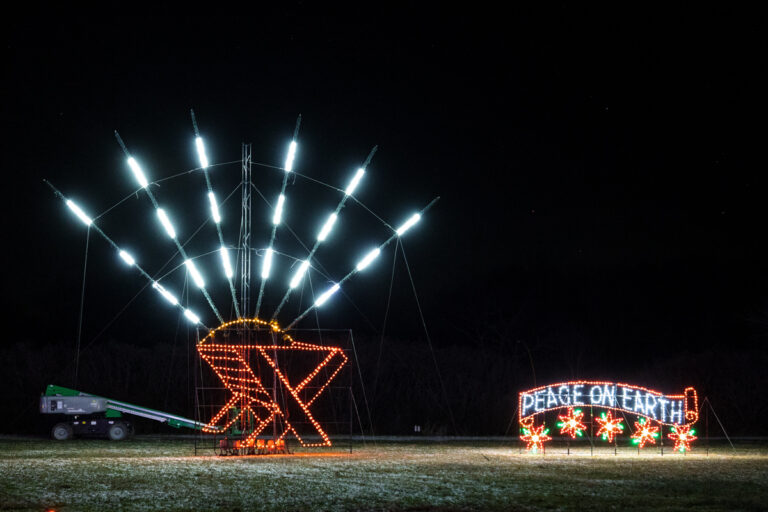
464	390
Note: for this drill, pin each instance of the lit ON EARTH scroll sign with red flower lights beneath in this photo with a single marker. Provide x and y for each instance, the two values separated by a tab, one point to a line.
652	408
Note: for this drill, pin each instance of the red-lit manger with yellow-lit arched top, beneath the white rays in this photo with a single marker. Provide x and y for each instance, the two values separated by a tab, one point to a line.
233	364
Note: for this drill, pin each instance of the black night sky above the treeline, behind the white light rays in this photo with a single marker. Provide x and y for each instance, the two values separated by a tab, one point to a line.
596	168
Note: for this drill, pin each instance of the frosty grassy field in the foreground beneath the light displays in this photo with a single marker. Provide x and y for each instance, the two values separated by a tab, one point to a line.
161	474
